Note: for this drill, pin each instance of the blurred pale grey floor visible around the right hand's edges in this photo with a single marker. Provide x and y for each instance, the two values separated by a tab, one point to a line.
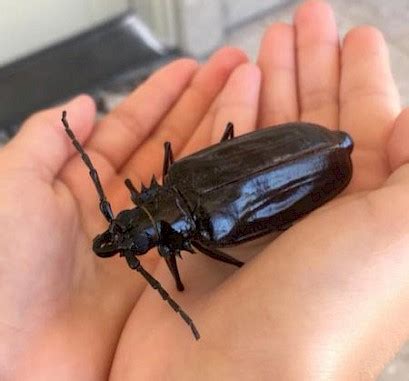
391	17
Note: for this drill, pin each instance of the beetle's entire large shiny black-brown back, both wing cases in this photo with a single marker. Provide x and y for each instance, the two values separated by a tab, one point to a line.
264	181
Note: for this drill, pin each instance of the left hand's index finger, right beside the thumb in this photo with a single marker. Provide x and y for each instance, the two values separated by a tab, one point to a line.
131	122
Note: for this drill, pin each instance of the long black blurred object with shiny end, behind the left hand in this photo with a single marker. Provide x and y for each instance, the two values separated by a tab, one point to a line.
115	54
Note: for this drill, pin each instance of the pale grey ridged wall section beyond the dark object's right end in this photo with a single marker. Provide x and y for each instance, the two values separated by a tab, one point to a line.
197	26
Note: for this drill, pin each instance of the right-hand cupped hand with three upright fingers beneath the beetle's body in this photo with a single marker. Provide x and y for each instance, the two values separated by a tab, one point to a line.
328	299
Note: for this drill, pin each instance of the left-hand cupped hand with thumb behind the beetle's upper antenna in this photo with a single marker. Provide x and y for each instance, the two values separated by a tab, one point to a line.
62	309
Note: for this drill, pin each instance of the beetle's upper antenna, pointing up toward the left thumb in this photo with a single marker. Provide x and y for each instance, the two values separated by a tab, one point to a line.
104	205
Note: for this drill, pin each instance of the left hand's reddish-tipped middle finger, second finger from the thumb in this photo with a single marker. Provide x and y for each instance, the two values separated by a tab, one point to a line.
181	122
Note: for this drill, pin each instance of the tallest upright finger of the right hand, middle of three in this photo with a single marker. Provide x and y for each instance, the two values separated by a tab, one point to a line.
318	63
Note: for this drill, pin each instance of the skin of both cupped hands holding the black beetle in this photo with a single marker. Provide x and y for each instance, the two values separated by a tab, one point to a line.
327	300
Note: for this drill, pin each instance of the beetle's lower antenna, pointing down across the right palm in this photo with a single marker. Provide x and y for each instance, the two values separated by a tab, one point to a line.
134	264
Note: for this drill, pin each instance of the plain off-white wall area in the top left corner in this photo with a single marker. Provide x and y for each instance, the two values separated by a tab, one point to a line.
26	26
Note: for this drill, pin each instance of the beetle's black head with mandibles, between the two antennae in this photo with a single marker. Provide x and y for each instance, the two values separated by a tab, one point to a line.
123	235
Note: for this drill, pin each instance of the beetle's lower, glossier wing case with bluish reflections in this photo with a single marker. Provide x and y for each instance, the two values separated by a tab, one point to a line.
273	199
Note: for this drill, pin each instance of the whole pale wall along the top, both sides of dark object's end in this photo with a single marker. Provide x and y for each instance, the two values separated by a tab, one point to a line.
196	26
